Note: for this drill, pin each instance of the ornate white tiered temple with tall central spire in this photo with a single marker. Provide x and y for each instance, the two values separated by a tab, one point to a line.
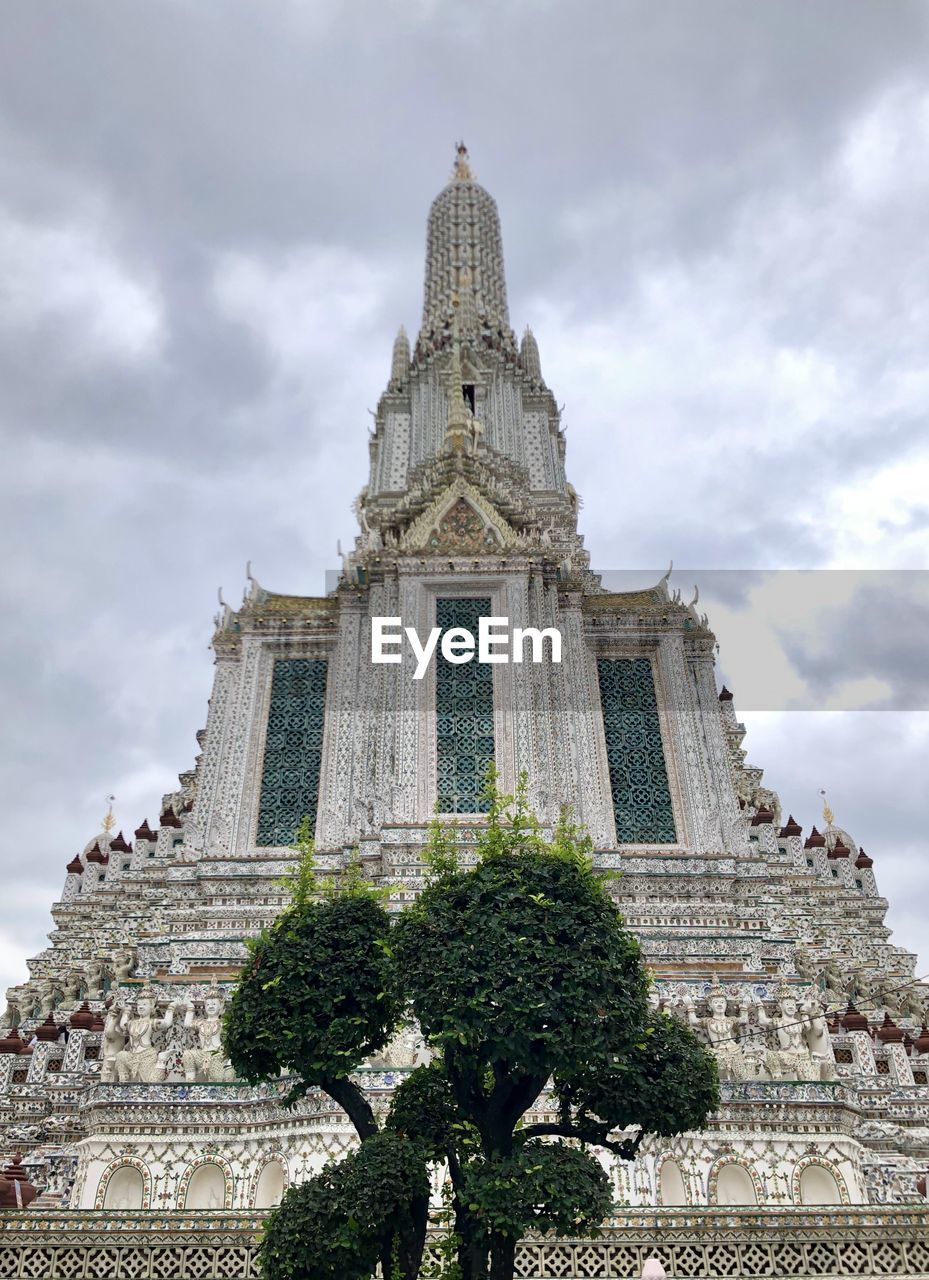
118	1112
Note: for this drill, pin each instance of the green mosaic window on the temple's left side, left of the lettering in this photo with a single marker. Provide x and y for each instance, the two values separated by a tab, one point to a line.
294	749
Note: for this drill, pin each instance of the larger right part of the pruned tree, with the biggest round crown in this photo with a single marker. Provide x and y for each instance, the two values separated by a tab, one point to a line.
520	972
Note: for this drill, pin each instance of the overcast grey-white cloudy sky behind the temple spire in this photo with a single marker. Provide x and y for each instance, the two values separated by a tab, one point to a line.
212	225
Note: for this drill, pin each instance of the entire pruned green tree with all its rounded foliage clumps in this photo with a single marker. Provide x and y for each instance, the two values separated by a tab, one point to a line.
520	973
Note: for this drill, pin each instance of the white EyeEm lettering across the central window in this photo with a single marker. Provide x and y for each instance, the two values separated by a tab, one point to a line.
496	643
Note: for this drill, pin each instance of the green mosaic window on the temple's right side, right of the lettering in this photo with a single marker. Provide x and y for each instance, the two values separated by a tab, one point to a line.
638	775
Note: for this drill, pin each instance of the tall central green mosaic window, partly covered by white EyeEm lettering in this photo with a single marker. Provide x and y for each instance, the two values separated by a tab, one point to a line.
464	715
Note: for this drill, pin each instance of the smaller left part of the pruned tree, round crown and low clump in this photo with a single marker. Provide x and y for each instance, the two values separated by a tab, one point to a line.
318	996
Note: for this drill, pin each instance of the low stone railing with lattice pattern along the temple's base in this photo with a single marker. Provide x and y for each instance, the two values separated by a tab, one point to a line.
701	1245
